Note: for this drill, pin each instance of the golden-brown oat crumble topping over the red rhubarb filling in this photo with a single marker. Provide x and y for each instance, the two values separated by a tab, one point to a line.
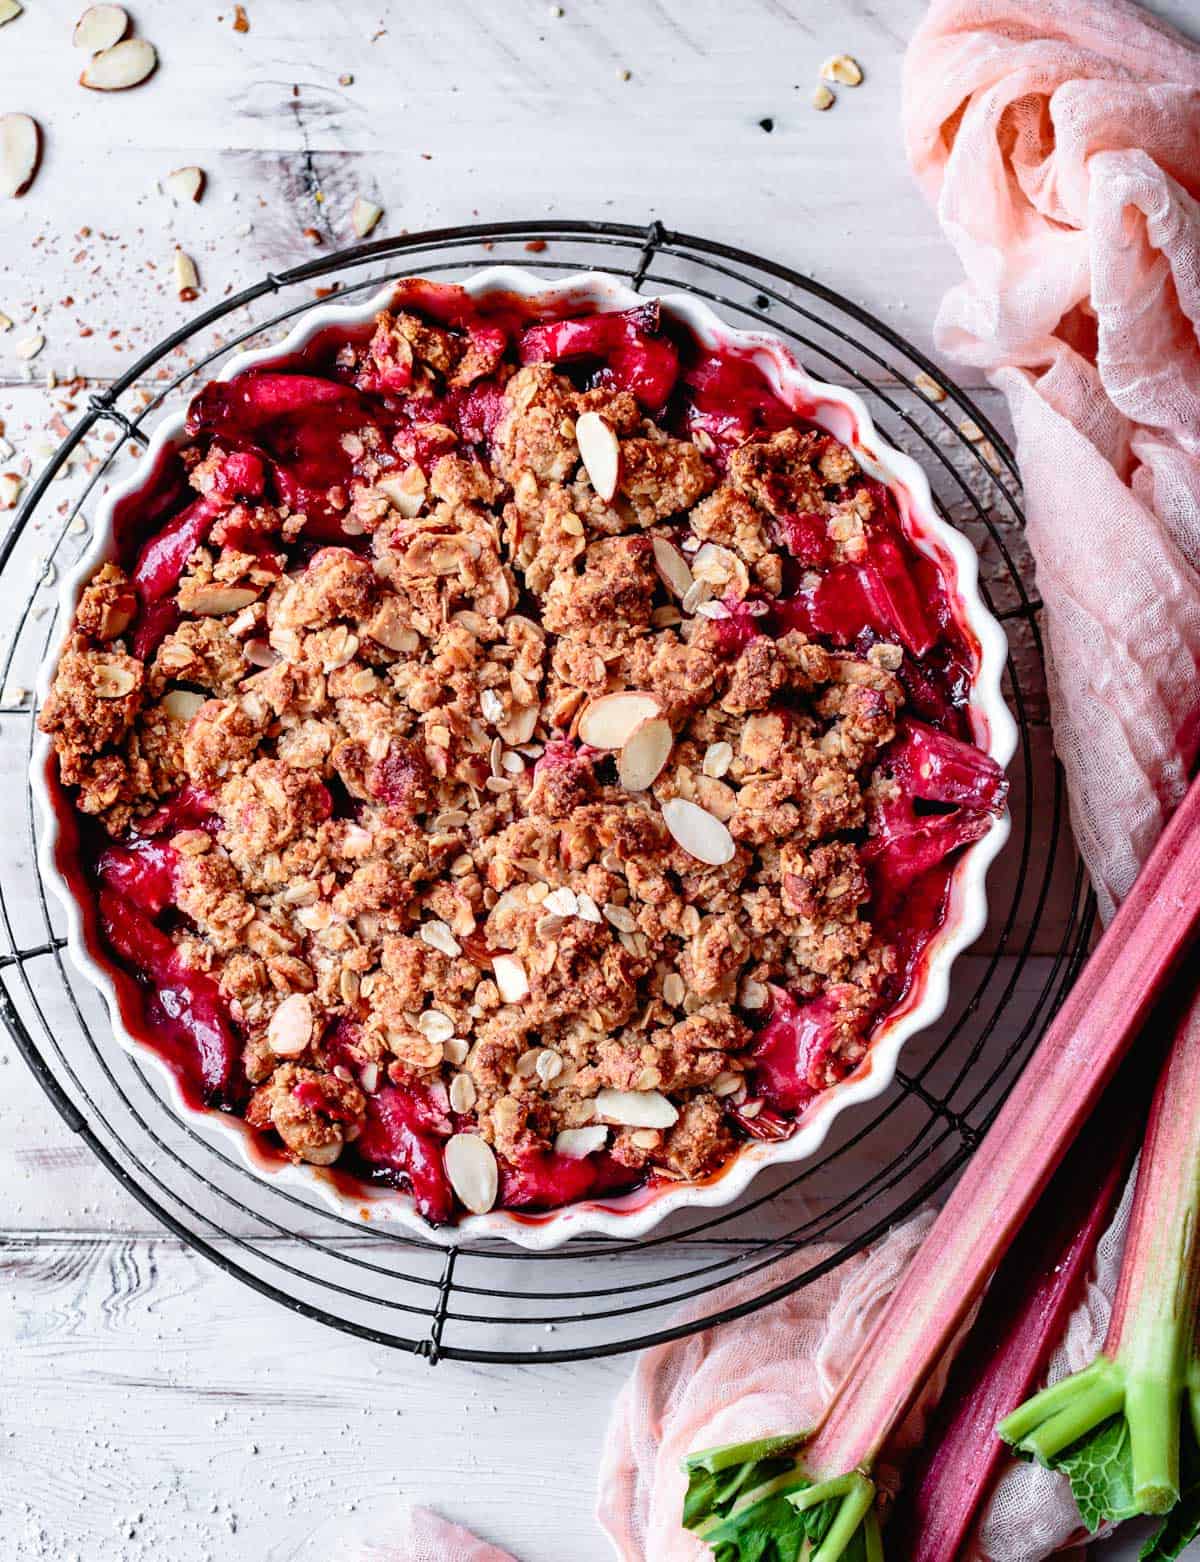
420	872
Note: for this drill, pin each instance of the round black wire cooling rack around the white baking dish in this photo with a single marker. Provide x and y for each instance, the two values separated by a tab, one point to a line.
491	1302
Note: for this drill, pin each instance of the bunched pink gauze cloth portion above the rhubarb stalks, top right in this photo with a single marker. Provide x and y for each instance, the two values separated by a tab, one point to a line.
1060	144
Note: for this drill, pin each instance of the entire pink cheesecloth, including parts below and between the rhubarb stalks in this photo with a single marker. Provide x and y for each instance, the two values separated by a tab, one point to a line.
1060	146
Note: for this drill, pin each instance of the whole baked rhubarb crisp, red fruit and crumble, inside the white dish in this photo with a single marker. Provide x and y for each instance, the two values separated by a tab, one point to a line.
513	758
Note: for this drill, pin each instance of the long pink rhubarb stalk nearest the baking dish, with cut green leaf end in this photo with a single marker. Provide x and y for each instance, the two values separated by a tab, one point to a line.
737	1496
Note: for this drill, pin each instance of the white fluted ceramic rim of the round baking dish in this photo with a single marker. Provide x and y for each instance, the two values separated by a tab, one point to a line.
630	1216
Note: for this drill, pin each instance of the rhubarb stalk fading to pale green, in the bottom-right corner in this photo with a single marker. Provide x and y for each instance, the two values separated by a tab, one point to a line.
1115	1427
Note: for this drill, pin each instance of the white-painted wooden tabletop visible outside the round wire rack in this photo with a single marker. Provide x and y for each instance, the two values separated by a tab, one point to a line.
149	1405
